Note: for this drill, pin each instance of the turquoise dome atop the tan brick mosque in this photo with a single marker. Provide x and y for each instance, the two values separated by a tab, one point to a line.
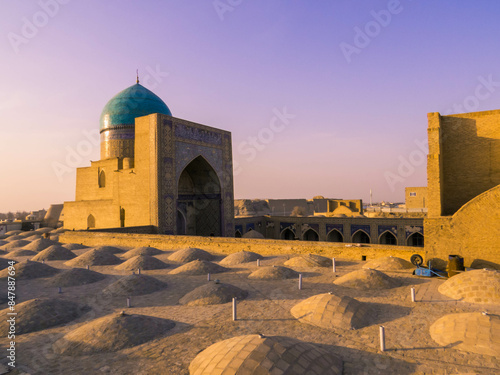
124	107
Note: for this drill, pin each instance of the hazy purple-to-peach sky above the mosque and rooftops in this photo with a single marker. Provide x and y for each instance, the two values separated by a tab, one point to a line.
322	98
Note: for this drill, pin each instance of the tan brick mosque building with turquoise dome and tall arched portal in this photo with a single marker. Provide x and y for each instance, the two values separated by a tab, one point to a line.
169	174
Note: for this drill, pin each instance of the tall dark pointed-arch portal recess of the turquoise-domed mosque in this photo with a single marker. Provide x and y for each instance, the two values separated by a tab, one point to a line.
199	200
